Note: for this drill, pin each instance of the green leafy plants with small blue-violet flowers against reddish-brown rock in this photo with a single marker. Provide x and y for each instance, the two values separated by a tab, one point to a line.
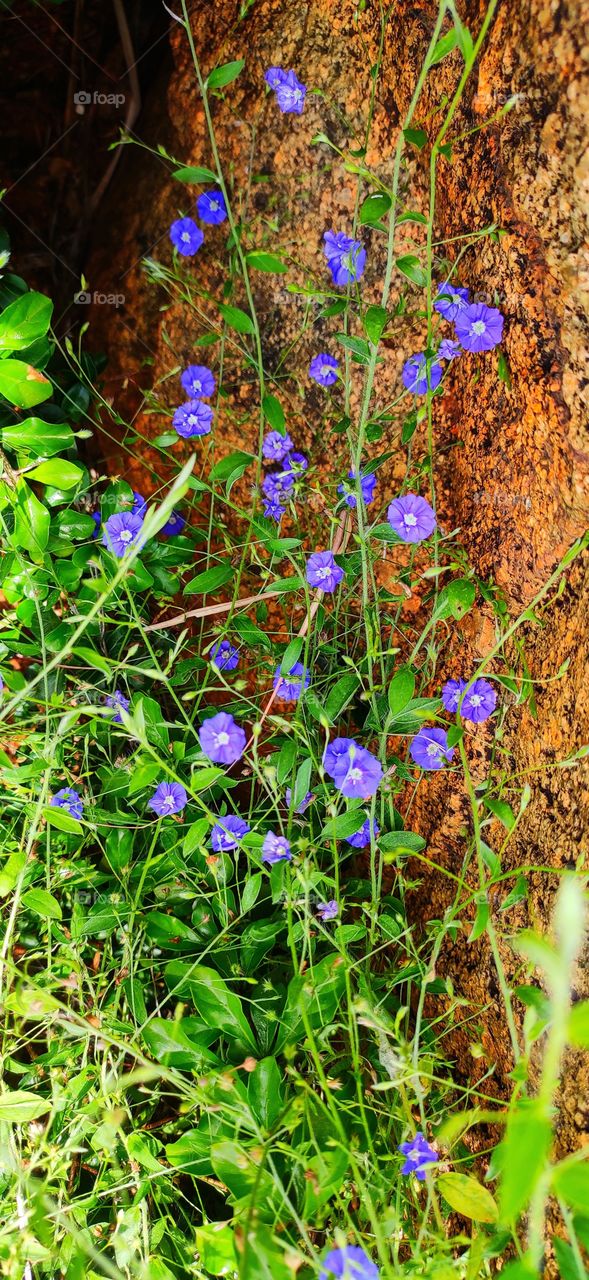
225	1032
